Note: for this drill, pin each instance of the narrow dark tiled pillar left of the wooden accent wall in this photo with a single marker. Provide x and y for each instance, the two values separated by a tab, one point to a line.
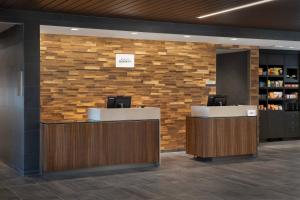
31	97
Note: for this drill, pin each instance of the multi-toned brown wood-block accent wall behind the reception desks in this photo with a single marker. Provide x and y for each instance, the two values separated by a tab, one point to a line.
78	72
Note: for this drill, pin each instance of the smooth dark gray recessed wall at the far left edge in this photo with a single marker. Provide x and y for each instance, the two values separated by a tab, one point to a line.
11	98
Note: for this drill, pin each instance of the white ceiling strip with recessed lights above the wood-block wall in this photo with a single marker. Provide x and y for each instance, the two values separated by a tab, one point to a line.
261	43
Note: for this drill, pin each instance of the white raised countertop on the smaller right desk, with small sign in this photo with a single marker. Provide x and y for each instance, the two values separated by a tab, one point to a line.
223	111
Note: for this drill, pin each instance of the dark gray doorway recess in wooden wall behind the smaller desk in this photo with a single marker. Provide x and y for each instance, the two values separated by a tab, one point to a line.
233	77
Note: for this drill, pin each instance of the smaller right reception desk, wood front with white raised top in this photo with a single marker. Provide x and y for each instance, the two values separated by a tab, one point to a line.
221	131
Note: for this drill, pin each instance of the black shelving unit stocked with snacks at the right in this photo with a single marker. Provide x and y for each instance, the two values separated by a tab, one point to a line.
279	94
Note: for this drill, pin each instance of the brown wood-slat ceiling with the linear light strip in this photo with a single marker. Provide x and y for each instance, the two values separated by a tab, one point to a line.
278	14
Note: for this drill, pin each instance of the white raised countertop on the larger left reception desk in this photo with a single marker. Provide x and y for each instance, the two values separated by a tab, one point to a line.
119	114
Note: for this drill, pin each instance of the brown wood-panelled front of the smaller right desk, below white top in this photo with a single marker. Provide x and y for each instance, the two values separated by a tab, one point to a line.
220	137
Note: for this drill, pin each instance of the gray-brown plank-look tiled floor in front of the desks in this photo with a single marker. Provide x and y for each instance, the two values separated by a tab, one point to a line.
275	174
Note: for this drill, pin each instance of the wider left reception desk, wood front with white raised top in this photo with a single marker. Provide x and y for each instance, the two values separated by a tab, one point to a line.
121	137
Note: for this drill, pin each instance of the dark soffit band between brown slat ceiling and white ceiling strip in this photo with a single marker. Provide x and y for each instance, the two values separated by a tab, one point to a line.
59	19
